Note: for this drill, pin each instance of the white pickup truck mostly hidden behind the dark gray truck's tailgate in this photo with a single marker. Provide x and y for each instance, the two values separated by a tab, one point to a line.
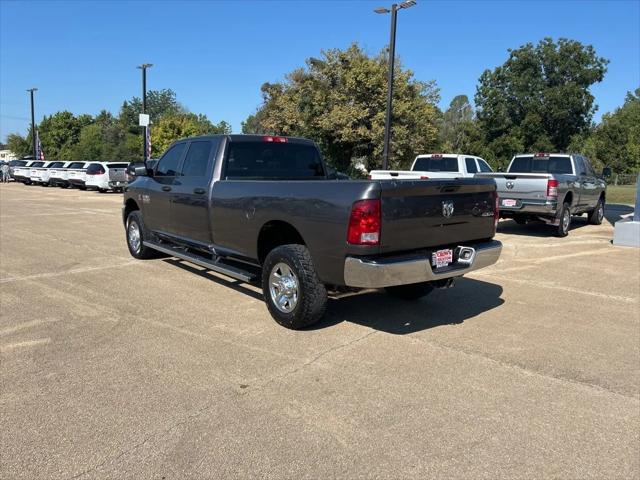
436	165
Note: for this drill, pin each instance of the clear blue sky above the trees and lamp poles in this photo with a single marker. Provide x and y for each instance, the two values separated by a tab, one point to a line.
216	54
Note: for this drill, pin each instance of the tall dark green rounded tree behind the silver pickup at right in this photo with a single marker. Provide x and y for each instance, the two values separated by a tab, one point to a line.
539	98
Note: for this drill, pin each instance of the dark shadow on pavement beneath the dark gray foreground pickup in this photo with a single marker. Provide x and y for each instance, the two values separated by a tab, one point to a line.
379	311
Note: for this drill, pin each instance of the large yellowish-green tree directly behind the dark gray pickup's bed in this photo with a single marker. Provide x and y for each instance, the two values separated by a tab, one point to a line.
339	100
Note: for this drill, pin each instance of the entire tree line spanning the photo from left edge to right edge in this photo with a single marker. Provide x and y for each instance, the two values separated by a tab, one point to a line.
539	99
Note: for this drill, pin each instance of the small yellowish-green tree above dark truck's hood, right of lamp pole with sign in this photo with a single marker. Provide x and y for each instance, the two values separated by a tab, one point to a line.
180	125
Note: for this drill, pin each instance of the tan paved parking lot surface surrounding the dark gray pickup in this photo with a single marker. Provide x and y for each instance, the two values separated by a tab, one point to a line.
116	368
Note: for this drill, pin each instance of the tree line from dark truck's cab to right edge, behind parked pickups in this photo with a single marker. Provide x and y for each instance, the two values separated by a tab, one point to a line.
538	100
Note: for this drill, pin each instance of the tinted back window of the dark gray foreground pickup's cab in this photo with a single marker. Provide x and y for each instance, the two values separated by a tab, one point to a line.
261	160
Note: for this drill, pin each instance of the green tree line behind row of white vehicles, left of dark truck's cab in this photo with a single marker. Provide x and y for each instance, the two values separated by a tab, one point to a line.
65	136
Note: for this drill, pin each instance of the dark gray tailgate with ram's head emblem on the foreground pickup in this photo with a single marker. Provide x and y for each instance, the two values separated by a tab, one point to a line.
430	213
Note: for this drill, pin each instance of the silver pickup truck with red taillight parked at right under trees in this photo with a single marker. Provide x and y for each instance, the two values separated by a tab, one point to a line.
550	187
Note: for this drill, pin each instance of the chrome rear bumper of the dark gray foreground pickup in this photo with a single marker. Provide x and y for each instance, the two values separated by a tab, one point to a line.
403	270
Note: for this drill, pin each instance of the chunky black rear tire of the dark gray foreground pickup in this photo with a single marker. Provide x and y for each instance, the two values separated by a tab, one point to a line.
310	300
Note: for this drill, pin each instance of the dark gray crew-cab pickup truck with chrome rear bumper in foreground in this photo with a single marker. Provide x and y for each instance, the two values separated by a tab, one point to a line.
265	208
